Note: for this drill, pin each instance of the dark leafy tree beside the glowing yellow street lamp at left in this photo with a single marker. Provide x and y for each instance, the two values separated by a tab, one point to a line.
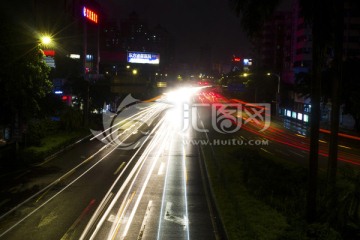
24	76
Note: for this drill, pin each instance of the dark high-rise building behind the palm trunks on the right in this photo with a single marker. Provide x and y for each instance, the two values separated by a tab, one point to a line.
301	40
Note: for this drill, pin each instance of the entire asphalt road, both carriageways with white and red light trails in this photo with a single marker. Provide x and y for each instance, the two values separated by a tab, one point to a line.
141	181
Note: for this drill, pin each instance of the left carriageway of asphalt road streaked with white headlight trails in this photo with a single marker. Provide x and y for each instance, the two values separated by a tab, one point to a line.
98	190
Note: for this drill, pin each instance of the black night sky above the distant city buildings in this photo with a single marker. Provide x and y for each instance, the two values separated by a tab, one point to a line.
193	23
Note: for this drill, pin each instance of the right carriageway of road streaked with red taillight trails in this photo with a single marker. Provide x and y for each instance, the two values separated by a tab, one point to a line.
282	138
